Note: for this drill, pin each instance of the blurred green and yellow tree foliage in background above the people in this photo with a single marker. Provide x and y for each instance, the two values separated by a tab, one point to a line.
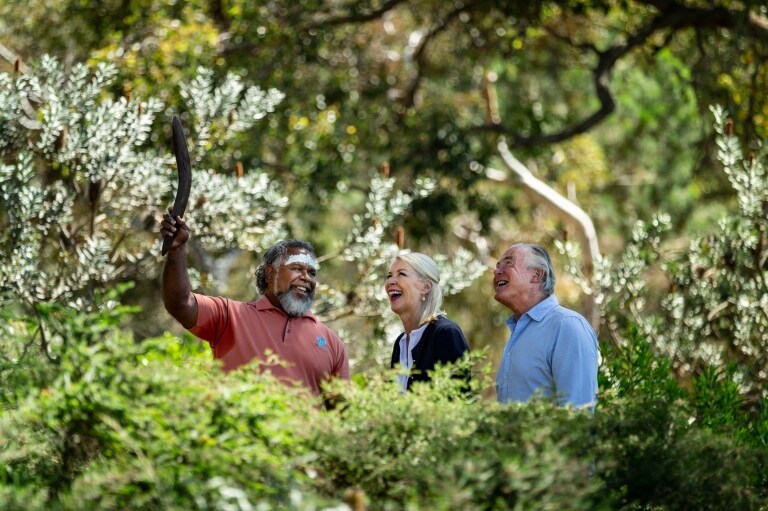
606	100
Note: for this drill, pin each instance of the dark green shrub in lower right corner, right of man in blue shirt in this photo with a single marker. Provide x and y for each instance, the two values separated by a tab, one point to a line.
672	445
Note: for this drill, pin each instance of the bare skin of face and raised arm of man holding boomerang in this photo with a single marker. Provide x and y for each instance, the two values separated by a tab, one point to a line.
296	278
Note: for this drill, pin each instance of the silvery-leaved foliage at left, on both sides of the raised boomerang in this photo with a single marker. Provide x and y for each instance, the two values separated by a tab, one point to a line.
81	187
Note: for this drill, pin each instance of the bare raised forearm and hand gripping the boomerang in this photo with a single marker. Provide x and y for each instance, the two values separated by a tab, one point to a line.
177	290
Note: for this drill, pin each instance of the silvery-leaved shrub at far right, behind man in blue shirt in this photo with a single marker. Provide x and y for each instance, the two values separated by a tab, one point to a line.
715	309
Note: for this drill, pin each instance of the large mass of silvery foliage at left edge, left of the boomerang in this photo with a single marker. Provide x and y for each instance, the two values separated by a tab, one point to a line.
71	160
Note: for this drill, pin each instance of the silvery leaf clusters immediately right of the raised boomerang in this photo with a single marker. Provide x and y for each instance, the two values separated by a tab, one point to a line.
230	213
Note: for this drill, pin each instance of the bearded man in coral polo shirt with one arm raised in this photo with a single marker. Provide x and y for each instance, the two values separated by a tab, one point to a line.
279	322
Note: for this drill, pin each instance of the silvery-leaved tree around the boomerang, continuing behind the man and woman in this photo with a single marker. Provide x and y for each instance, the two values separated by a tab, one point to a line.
81	192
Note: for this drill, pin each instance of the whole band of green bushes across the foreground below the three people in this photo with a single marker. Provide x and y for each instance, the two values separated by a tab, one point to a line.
156	425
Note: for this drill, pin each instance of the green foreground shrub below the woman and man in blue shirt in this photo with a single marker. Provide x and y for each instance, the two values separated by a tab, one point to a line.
434	449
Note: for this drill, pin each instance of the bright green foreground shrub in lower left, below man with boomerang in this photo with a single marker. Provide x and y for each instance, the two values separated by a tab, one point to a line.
124	425
